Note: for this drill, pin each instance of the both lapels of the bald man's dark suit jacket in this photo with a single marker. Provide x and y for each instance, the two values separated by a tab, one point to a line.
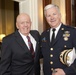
21	42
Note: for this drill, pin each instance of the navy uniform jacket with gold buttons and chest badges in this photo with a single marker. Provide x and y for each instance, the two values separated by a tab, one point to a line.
51	52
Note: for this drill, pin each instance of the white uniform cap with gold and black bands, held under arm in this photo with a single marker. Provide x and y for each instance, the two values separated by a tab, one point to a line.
68	56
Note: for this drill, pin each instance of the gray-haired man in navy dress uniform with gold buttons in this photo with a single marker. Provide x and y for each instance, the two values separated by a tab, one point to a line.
64	40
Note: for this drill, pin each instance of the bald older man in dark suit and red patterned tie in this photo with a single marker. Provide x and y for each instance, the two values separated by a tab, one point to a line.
19	54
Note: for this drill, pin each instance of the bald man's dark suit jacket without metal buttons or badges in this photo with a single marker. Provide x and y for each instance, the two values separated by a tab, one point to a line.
16	59
